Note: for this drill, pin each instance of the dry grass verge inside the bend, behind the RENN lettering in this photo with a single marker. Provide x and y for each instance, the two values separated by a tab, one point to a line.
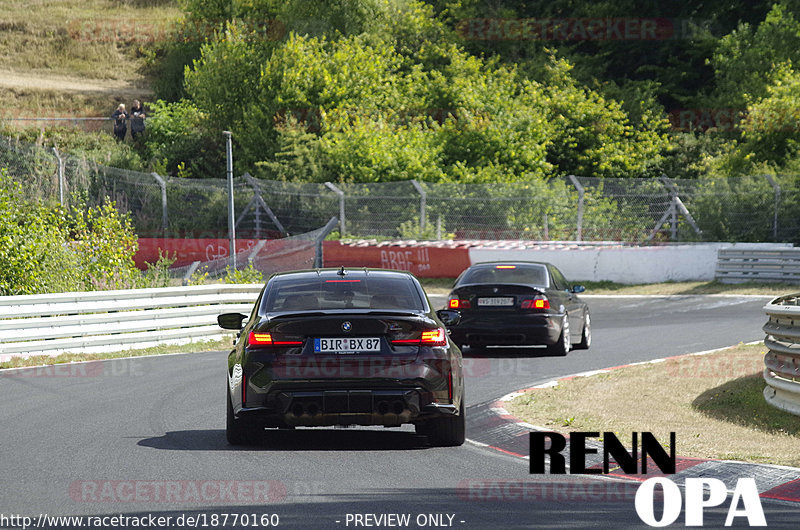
713	402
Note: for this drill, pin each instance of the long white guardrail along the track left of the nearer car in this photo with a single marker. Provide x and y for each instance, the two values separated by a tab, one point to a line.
98	321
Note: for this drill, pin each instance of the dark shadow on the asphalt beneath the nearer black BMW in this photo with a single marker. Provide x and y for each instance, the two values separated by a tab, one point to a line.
291	440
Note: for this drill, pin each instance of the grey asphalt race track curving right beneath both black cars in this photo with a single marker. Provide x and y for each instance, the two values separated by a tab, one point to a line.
146	436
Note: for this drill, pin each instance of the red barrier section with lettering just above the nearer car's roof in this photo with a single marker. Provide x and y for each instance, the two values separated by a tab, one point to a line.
426	260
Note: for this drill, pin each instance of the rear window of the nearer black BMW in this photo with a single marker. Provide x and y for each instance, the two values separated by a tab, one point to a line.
320	293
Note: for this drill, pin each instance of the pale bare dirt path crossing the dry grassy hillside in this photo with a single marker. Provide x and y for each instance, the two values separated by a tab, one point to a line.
36	81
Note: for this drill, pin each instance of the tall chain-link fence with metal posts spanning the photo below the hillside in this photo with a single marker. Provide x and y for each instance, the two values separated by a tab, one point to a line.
756	208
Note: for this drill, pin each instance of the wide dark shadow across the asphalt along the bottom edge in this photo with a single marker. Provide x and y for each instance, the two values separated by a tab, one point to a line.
535	502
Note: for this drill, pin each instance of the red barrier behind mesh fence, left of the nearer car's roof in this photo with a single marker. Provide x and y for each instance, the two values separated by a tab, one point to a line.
186	251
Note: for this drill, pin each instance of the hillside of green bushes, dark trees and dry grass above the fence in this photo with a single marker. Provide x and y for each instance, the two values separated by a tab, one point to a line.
444	90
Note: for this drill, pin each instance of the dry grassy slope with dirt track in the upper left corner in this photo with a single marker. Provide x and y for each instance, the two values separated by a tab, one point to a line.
98	47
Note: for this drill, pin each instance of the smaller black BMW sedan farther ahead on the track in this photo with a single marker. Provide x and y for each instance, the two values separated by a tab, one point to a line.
519	303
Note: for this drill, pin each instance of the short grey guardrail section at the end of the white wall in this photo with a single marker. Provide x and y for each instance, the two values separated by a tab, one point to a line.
741	265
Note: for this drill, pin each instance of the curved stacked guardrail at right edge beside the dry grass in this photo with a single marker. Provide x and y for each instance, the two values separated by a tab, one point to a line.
782	362
